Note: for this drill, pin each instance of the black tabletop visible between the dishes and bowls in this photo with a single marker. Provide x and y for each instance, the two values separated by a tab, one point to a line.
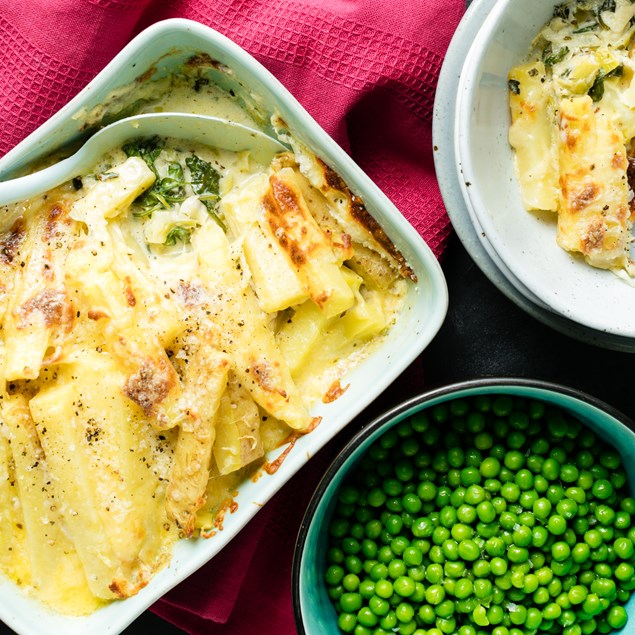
484	334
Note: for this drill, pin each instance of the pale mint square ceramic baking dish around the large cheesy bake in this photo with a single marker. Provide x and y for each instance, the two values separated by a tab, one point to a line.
157	52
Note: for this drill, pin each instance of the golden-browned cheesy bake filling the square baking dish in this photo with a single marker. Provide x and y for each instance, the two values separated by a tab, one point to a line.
167	319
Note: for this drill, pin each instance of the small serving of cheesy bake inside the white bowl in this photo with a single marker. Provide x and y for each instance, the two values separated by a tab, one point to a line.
573	123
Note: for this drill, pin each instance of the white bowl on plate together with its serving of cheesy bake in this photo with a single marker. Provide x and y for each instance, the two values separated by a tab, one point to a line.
541	136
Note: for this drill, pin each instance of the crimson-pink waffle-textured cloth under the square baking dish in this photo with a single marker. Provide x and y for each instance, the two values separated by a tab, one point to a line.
367	71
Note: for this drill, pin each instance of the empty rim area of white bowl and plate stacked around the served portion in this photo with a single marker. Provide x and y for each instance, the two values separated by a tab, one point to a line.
516	250
